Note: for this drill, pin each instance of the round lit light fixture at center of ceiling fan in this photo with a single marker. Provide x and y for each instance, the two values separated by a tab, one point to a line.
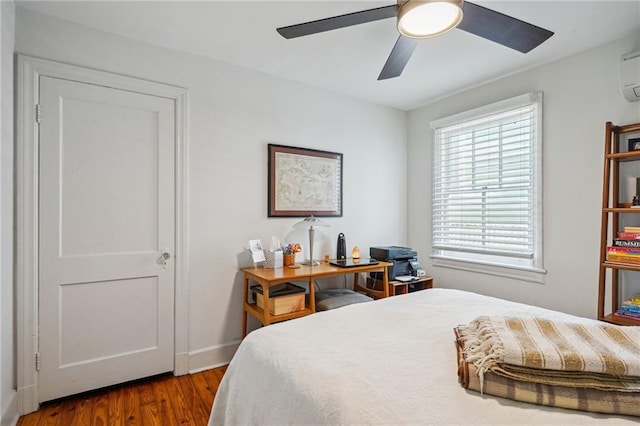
428	18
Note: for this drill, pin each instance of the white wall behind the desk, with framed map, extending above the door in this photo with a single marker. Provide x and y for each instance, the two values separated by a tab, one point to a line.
233	114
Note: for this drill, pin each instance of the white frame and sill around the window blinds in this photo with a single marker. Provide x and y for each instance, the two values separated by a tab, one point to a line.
534	271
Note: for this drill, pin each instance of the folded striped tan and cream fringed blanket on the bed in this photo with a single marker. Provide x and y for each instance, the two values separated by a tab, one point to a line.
587	366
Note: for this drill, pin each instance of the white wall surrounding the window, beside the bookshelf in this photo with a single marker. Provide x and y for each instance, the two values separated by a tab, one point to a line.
581	93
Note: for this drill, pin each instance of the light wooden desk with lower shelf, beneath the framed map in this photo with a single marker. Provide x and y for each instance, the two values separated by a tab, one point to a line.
305	273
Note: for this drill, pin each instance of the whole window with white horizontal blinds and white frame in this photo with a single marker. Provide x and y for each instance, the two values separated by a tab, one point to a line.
487	189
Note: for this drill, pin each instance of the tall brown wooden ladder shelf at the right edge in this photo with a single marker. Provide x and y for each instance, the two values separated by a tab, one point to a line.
612	208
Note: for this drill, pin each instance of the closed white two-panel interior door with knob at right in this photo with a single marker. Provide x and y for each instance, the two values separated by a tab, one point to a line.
106	198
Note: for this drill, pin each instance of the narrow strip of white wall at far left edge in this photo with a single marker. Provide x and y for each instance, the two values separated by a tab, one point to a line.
8	406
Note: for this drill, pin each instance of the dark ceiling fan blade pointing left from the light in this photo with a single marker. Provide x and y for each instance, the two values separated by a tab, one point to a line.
341	21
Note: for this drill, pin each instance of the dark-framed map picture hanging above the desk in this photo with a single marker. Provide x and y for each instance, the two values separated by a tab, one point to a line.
304	182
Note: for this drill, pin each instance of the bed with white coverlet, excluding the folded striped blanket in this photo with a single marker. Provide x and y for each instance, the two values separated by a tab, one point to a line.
392	361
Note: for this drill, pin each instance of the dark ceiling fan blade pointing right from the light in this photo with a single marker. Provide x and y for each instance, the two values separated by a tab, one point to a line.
502	29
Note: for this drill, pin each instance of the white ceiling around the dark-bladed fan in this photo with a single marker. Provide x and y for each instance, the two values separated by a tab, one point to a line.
348	60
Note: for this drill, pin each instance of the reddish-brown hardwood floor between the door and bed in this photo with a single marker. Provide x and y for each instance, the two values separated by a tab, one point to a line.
160	401
